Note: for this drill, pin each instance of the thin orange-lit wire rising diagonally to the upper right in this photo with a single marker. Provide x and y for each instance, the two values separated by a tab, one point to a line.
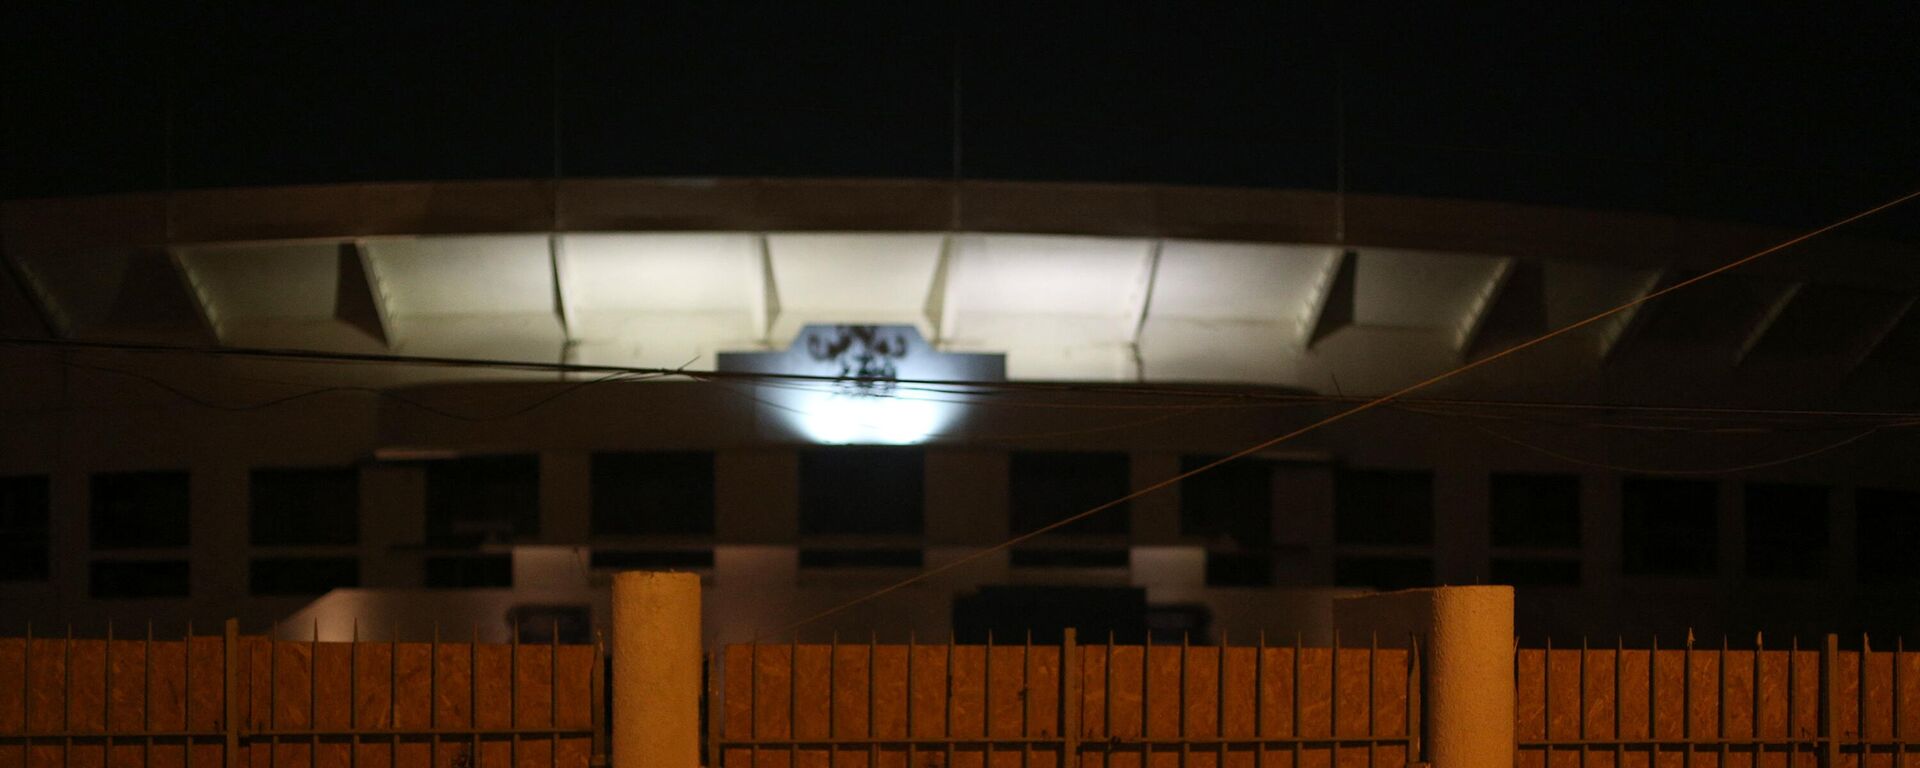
1341	416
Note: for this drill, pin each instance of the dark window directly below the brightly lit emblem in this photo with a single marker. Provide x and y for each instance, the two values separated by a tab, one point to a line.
863	491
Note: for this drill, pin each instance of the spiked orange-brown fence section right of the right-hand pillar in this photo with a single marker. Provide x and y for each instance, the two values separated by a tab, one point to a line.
1717	708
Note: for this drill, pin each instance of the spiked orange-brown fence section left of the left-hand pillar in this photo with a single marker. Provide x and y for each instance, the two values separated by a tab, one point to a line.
229	702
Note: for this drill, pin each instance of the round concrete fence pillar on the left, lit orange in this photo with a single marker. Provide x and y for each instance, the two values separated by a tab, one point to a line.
658	671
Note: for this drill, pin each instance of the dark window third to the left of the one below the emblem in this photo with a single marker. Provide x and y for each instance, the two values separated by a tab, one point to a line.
304	506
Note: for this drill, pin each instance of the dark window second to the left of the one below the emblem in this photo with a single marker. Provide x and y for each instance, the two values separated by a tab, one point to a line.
483	498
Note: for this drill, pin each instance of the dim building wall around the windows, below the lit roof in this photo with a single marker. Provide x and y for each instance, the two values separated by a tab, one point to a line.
97	421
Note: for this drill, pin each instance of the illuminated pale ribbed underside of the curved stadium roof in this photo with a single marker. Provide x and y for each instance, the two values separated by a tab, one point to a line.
1059	308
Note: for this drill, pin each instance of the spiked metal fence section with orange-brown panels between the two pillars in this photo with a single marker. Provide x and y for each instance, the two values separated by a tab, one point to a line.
1030	706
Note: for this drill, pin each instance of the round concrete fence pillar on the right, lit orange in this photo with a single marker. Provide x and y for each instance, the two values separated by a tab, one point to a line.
1468	642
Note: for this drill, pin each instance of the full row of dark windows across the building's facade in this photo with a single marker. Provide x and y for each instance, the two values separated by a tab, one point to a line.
1383	521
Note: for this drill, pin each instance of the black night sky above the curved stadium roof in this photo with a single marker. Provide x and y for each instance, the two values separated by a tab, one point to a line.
1721	112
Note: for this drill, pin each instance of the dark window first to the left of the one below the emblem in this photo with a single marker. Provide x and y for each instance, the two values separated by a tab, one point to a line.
661	492
